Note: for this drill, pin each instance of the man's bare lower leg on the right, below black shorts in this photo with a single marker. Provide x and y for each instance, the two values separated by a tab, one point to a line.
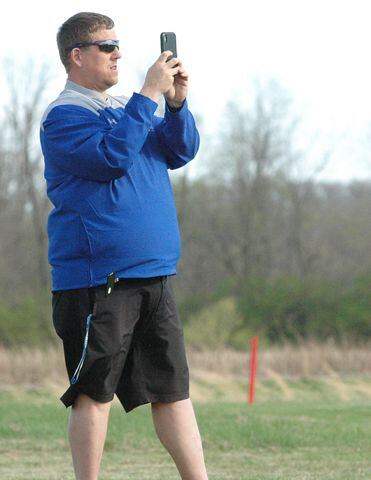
177	429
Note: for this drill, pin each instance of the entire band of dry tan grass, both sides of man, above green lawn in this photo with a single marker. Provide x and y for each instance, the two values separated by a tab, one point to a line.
342	372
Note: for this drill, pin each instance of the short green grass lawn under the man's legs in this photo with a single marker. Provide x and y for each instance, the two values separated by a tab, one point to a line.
268	441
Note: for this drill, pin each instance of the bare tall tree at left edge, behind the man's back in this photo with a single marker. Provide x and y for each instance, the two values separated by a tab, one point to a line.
27	87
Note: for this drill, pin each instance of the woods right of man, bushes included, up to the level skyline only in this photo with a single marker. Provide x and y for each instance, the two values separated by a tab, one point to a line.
302	271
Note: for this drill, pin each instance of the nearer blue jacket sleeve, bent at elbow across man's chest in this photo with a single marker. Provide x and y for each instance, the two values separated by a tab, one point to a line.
78	142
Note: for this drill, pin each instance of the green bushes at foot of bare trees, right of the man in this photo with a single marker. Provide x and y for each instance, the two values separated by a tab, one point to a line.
280	310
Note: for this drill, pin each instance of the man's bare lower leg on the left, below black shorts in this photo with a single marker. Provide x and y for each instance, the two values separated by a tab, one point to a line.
87	433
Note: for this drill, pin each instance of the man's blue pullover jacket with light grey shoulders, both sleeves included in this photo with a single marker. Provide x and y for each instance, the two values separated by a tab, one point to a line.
106	169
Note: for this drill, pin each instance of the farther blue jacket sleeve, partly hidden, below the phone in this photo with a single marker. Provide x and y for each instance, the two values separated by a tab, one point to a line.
178	136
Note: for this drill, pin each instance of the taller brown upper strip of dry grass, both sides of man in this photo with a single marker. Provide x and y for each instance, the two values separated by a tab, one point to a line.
34	366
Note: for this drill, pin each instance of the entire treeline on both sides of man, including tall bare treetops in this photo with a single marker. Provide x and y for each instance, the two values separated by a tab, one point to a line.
265	250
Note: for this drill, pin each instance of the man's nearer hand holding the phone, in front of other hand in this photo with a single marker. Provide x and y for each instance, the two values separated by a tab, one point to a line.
160	77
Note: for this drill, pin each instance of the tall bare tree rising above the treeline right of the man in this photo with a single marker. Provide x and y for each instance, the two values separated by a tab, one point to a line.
250	165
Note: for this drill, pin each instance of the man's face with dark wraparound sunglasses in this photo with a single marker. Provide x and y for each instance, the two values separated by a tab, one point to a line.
99	68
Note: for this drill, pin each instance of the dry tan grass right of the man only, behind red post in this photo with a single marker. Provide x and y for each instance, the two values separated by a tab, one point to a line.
308	372
